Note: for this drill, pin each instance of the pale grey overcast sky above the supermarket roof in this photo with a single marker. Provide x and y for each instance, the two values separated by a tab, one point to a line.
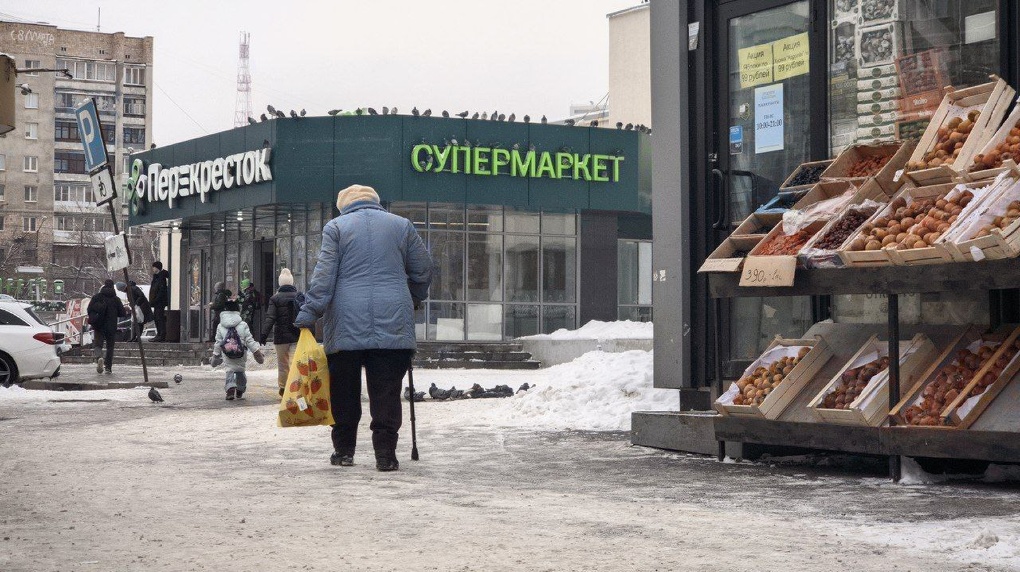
527	57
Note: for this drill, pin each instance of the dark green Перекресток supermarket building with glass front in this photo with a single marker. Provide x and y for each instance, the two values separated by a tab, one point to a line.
532	228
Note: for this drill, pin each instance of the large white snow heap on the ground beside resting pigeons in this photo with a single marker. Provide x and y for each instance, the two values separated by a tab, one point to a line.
597	392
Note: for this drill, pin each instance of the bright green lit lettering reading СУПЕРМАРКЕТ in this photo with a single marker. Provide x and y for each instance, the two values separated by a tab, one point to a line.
490	162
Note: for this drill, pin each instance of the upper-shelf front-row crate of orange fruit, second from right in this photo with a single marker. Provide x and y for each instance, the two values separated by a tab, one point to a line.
935	222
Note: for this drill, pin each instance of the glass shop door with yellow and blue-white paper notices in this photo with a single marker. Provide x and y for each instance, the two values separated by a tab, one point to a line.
764	133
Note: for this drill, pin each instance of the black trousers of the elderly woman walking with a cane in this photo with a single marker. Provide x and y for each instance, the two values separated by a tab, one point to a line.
385	372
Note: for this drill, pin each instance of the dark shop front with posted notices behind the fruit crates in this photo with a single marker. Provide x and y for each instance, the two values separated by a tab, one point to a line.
748	90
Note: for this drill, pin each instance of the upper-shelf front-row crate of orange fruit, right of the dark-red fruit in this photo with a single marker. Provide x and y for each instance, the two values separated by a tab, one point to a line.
887	229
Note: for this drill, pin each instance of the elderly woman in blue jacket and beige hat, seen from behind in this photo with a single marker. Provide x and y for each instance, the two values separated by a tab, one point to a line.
373	272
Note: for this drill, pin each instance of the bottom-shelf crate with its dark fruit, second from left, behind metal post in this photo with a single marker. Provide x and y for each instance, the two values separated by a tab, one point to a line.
858	394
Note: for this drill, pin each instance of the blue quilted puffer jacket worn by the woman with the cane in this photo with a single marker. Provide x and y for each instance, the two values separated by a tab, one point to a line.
371	266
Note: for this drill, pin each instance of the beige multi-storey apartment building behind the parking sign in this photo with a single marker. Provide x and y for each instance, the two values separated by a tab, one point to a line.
48	221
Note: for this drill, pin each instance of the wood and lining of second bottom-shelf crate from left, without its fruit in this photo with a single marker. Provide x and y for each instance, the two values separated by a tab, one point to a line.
873	406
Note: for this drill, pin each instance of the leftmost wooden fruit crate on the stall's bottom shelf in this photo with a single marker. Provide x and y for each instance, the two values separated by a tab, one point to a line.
776	379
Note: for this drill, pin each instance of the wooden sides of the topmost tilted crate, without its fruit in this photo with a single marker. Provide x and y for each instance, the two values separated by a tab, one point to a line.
991	99
